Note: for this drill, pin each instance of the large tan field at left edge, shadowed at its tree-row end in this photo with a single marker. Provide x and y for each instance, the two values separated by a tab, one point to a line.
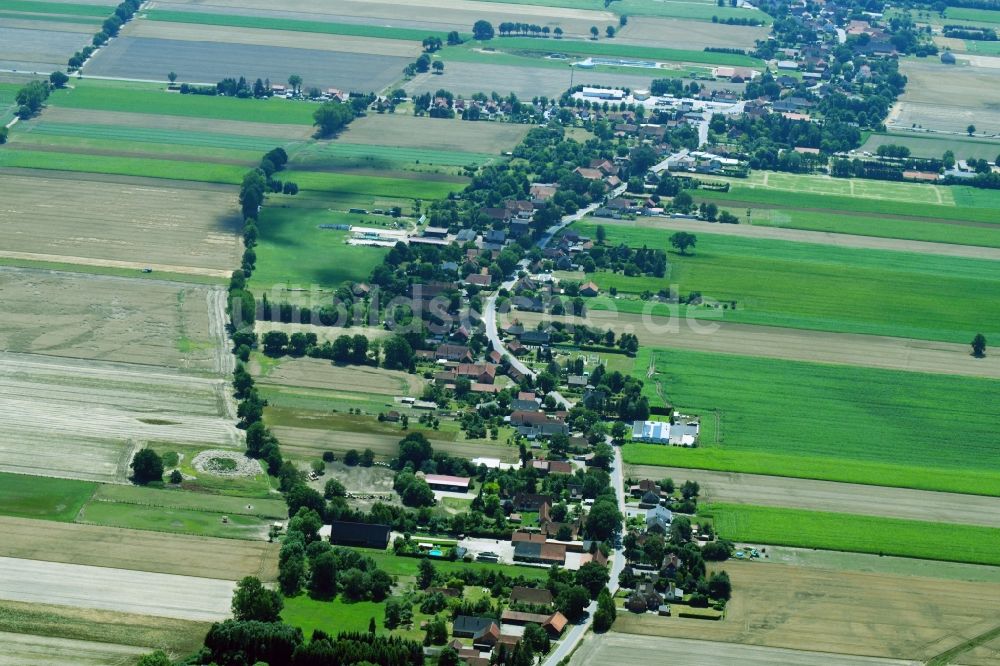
83	221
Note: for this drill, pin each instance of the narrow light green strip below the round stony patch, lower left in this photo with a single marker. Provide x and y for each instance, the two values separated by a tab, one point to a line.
178	521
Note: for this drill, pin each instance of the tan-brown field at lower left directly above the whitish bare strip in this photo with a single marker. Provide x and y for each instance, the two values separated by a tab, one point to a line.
155	552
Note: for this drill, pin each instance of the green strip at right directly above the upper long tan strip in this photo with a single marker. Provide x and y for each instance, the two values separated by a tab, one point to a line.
745	196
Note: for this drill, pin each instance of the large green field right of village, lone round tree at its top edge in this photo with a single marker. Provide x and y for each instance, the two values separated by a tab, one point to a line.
820	287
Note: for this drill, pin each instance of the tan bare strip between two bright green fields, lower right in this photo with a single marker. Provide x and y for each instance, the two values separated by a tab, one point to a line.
737	488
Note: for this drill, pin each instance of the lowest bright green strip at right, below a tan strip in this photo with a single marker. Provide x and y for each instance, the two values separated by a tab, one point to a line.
862	534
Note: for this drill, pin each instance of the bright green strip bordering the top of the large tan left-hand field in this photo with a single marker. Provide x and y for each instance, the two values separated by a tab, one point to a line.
230	174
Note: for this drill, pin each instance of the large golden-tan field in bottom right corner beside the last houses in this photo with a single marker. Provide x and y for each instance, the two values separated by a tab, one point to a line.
880	615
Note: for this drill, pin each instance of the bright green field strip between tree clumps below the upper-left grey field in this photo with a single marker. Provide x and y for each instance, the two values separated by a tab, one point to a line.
100	95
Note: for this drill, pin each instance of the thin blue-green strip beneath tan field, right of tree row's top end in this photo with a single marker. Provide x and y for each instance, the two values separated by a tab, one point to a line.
338	154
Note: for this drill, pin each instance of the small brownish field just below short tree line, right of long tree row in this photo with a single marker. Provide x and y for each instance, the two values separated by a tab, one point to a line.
321	374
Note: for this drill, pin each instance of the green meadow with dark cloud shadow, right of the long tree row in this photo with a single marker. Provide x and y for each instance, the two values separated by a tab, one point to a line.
293	250
